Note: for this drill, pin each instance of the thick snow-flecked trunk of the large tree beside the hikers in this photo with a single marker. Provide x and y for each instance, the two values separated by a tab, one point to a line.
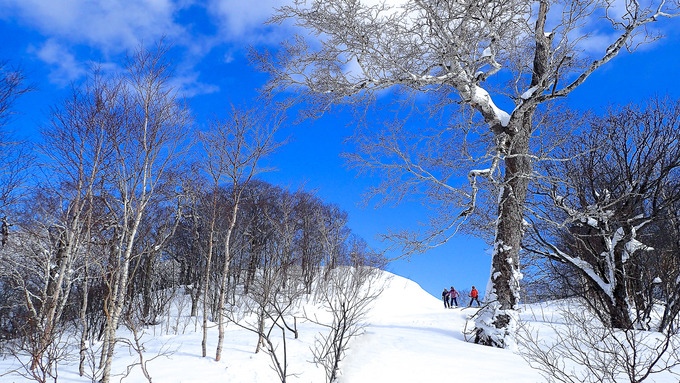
494	325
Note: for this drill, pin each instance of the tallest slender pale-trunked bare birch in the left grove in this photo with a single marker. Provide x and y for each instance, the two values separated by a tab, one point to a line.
147	141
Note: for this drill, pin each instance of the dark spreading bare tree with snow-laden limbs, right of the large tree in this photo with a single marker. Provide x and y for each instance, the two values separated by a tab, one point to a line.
602	211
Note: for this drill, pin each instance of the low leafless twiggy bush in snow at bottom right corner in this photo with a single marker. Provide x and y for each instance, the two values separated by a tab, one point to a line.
580	348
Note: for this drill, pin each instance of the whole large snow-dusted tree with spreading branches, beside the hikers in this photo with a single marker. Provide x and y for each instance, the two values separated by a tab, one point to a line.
458	51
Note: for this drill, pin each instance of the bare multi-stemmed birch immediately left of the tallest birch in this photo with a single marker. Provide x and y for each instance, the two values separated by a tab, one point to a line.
74	150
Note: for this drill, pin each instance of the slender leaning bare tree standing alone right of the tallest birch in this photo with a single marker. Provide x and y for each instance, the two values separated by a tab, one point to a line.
234	148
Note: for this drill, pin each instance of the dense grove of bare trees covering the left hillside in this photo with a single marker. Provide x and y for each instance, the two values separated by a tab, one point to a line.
130	202
